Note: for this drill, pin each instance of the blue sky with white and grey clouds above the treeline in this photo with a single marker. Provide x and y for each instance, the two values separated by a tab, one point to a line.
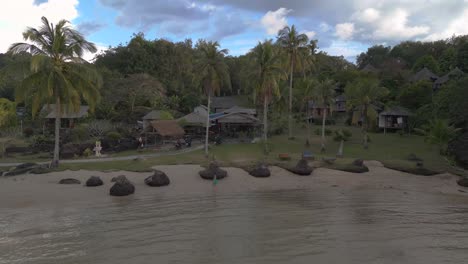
342	28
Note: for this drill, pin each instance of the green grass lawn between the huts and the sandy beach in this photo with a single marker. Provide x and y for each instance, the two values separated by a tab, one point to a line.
391	148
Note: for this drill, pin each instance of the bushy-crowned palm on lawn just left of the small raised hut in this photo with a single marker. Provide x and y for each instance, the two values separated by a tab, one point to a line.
361	95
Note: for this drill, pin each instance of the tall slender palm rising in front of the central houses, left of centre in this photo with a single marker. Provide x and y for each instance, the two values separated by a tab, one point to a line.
213	73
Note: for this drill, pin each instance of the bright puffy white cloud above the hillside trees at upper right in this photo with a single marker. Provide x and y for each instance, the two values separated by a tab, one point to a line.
395	26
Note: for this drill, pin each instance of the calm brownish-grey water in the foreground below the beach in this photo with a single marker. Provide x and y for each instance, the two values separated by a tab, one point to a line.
293	226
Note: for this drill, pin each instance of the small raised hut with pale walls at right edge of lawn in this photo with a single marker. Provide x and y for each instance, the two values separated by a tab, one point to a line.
395	118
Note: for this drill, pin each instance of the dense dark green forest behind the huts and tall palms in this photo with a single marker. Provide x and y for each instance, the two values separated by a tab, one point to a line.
146	74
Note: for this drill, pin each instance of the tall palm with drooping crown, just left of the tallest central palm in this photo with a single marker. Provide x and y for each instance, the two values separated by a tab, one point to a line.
267	75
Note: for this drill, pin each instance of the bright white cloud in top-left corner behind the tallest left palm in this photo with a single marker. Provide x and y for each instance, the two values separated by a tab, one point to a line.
16	16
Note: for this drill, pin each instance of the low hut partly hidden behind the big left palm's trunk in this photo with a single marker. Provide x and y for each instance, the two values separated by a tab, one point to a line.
68	116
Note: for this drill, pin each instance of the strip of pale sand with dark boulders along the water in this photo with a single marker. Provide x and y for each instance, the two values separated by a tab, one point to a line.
36	190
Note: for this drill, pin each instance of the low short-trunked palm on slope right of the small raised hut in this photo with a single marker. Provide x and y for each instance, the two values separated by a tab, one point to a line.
439	132
